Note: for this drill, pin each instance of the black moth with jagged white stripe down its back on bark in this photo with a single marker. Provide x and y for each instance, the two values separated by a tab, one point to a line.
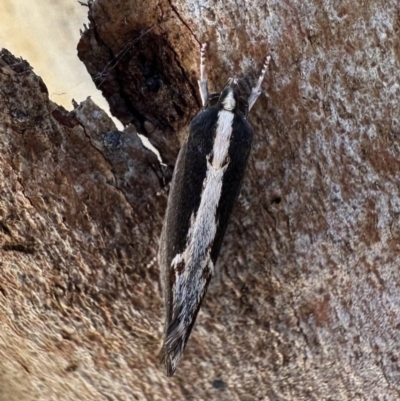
205	184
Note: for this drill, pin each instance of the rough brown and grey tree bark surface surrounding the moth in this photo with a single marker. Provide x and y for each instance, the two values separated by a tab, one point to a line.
306	303
